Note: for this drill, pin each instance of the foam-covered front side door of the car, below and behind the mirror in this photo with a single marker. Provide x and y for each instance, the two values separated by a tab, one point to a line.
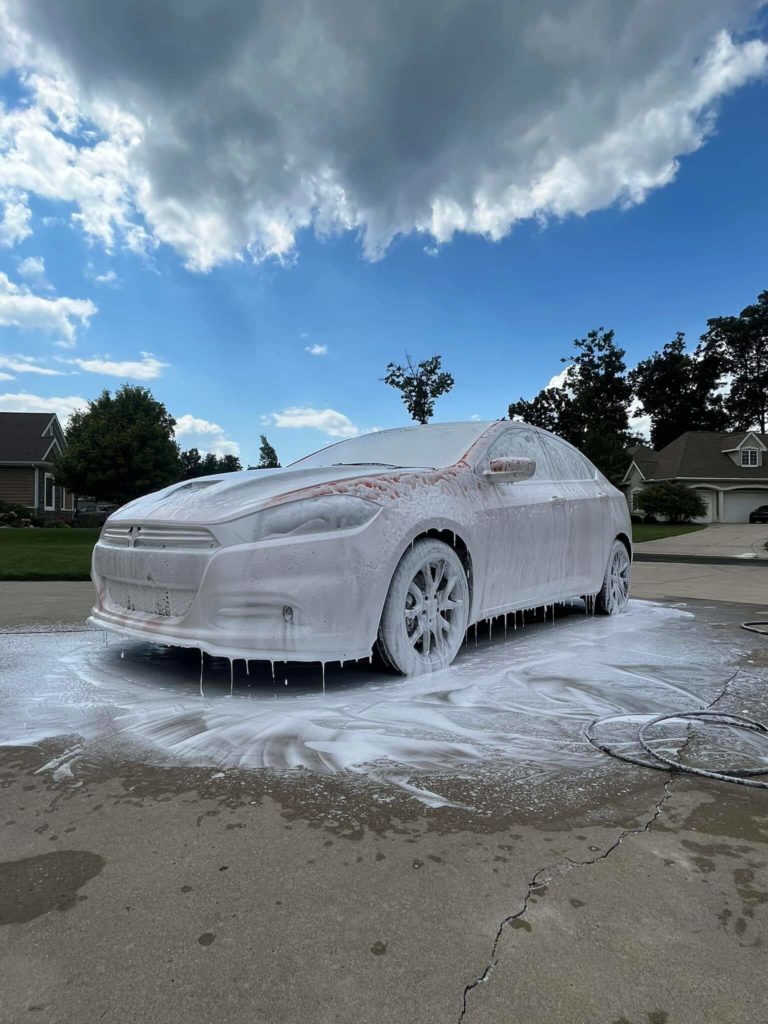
523	552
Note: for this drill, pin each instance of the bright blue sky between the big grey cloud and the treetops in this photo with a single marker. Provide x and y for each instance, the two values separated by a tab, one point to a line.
229	345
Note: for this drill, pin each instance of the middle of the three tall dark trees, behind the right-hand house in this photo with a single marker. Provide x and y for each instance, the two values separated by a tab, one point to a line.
679	392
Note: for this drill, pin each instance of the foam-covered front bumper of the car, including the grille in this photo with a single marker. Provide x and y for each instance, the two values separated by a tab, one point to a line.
234	602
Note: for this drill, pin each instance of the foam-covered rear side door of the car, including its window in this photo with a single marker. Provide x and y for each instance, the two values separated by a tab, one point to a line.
579	498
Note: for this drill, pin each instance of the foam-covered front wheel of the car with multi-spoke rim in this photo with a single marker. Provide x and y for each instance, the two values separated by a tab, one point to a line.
426	612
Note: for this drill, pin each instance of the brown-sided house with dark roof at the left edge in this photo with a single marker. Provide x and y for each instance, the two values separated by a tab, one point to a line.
28	442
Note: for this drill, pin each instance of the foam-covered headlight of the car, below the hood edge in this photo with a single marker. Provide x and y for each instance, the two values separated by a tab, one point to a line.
314	516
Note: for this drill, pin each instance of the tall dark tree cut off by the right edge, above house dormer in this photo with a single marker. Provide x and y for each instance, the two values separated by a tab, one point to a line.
742	344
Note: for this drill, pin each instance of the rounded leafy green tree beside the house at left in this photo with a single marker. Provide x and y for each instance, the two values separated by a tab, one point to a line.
120	448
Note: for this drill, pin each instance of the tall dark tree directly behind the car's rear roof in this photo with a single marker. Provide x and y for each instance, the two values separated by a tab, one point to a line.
591	409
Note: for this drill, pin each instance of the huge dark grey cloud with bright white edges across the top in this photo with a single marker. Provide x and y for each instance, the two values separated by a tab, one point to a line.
263	120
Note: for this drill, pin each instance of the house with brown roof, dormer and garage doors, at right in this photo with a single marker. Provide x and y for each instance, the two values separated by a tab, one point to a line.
730	472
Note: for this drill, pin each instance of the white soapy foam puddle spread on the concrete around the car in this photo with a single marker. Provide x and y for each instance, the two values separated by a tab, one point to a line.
526	699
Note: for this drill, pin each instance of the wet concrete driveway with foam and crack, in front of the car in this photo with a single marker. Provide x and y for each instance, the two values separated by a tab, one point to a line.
415	850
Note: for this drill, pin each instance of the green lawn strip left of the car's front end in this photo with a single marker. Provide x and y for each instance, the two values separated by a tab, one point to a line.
47	554
